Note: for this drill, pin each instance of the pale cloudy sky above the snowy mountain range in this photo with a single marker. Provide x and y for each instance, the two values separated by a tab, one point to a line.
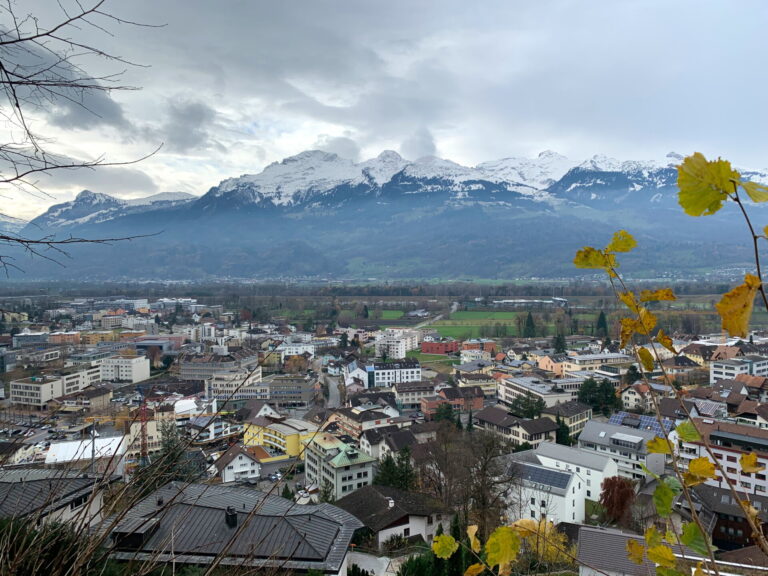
227	87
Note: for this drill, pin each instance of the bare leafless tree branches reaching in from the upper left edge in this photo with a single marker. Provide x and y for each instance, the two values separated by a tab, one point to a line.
40	69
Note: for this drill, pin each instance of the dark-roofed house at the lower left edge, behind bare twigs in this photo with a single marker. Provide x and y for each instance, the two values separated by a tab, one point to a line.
45	495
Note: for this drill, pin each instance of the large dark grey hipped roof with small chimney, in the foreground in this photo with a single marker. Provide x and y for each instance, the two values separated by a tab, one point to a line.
270	531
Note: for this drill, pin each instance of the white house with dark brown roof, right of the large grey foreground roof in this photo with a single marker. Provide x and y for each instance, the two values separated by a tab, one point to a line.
386	512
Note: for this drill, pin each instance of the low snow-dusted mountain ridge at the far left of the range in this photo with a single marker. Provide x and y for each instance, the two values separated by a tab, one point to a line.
94	207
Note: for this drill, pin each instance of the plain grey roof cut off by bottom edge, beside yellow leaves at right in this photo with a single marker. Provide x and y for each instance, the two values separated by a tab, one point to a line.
605	550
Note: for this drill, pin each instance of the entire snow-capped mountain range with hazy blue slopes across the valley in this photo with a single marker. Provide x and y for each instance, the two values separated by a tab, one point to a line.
318	214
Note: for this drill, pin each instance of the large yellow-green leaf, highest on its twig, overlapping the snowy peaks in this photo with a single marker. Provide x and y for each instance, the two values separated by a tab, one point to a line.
704	186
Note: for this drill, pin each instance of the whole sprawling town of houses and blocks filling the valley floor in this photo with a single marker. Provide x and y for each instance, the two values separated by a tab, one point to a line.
150	418
